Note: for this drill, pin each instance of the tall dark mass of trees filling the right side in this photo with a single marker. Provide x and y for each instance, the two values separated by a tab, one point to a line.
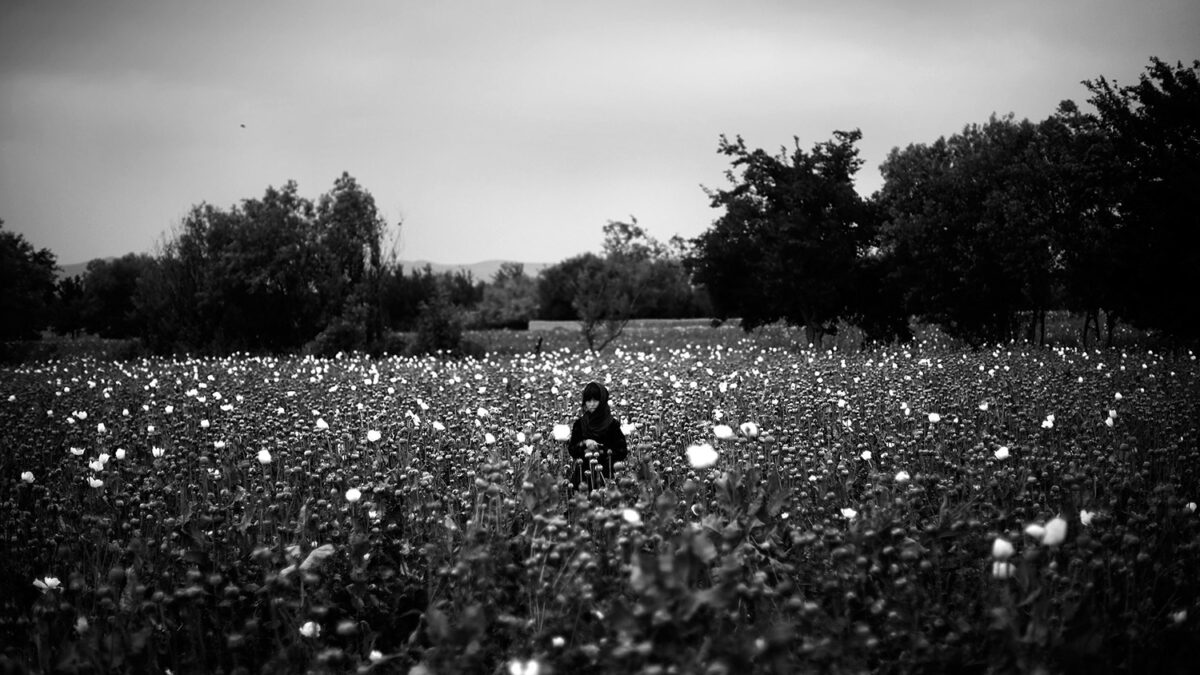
981	232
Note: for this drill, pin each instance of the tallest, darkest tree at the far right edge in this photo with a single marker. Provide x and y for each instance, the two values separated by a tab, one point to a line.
1155	130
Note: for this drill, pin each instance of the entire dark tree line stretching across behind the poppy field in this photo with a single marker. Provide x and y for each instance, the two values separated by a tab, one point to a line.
982	234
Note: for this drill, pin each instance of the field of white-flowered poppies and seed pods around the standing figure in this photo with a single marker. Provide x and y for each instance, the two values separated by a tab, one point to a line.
909	510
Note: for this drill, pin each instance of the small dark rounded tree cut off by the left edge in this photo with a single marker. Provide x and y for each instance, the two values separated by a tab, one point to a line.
27	288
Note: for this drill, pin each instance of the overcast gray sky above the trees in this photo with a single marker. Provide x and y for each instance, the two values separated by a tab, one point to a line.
506	130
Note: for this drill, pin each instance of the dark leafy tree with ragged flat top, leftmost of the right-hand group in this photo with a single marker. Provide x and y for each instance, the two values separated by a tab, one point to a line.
793	232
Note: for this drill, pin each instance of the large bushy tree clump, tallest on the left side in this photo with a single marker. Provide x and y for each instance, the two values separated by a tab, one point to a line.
267	274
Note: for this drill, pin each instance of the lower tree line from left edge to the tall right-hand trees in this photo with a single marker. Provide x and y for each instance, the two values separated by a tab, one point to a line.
283	273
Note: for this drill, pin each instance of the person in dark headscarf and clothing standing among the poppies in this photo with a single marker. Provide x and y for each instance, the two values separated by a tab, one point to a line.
597	440
